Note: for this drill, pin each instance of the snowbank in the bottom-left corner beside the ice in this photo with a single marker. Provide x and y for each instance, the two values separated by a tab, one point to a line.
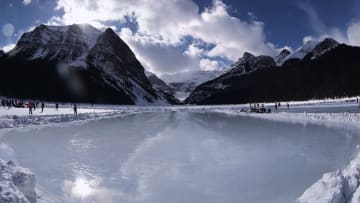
17	185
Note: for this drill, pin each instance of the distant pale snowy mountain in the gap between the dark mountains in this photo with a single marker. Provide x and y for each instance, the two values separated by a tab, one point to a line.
185	82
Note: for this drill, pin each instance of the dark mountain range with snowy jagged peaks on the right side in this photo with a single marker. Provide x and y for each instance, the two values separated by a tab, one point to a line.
329	69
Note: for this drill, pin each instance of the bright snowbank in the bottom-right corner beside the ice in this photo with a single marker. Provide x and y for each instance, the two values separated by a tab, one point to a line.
336	187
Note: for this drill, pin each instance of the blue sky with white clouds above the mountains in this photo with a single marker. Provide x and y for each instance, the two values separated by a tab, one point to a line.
172	36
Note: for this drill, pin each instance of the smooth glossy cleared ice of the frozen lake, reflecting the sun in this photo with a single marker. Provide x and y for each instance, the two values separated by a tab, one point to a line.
178	157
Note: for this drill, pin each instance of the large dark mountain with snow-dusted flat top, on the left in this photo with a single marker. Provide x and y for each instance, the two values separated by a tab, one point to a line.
76	63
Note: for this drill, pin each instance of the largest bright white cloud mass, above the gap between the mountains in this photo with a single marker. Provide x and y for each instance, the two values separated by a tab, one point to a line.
162	26
